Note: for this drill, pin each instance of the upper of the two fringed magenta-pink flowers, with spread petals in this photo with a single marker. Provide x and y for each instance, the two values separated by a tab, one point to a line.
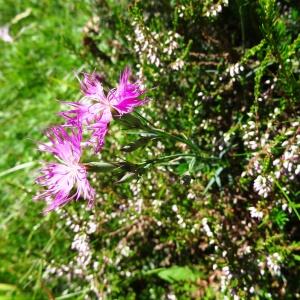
95	110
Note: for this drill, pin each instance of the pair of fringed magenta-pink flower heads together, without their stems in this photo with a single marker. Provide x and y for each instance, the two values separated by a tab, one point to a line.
66	179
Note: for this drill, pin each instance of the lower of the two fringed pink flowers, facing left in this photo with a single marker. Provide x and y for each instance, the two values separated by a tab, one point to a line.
66	179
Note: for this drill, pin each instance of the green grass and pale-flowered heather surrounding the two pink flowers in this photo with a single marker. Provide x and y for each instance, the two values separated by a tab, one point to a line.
214	212
